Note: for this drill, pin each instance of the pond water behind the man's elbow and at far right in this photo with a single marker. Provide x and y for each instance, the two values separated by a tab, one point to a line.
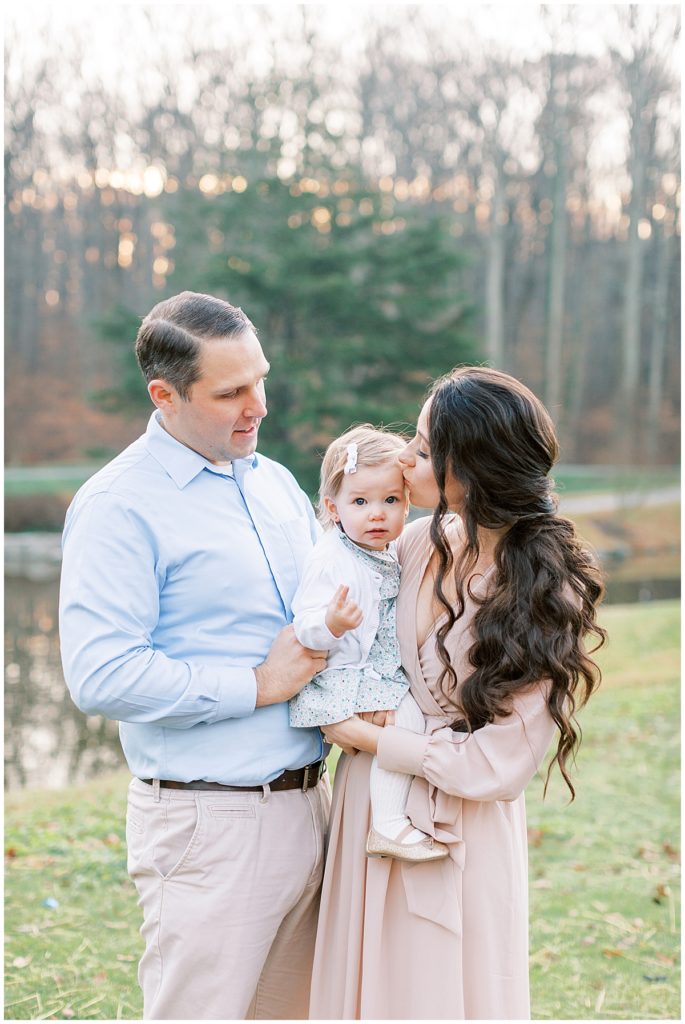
49	742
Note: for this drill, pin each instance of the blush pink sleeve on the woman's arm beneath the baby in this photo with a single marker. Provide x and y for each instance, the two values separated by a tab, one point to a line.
496	762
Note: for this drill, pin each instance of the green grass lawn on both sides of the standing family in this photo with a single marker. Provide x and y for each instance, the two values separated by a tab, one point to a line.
605	872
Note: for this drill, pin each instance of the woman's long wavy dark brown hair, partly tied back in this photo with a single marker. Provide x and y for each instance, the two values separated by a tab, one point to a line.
492	435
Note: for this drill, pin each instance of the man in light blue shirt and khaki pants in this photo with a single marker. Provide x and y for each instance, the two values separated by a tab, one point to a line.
181	561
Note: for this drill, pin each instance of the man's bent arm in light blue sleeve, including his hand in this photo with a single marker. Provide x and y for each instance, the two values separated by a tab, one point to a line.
110	606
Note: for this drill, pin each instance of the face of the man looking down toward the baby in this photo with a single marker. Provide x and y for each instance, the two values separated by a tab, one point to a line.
222	416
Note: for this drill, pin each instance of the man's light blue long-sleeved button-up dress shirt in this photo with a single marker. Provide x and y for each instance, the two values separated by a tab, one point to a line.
177	577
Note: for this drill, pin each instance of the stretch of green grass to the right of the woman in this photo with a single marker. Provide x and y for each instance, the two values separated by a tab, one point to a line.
605	872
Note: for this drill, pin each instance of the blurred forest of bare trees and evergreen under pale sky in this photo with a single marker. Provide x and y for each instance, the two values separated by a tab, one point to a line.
388	191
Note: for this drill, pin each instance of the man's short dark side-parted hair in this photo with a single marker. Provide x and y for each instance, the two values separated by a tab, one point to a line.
170	337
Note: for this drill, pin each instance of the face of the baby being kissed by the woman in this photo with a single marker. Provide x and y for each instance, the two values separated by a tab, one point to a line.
372	505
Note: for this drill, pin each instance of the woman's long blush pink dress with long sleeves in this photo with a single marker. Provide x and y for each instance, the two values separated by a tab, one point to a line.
447	941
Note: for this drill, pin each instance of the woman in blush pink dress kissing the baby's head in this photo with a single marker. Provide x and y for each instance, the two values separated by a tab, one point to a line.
495	606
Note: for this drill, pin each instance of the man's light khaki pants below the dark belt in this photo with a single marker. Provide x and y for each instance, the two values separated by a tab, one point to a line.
230	887
